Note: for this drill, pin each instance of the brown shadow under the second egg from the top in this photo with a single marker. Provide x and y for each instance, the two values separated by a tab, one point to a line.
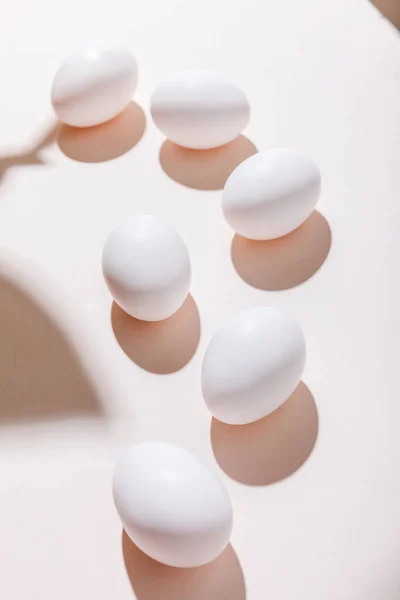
204	169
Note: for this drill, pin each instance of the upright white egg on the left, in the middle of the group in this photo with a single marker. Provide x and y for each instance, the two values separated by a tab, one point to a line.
146	266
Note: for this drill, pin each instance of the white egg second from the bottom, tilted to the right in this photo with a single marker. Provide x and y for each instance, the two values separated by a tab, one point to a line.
252	365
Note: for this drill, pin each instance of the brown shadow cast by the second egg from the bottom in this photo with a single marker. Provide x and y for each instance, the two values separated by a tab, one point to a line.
272	448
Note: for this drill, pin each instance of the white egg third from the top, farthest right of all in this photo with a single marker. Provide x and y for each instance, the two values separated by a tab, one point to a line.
270	194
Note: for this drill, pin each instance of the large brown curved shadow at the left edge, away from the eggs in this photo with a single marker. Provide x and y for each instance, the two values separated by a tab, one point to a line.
41	375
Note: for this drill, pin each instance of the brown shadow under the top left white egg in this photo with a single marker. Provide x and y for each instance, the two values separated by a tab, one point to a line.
104	142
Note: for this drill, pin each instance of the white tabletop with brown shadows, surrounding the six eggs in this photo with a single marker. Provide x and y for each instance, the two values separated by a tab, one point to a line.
321	76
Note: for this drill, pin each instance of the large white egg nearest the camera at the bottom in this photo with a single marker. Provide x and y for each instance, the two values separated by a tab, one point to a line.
171	506
